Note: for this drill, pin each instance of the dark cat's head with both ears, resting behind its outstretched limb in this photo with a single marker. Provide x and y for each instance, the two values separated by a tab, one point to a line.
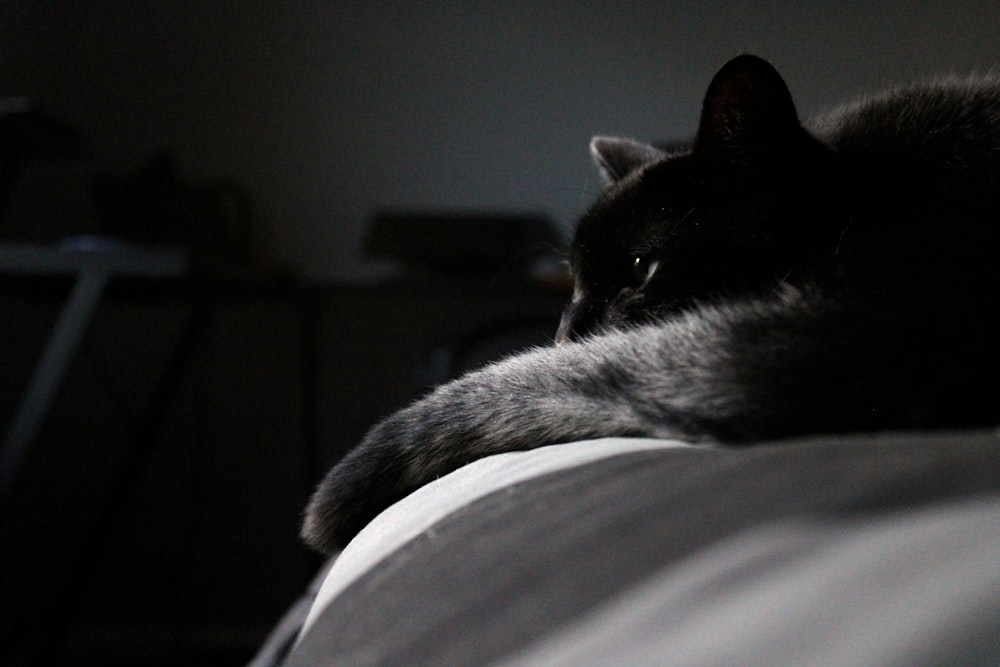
748	205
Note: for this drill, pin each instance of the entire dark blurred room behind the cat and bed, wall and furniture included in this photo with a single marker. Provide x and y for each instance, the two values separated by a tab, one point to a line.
234	234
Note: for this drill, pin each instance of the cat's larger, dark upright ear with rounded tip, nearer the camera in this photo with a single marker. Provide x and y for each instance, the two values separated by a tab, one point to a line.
747	108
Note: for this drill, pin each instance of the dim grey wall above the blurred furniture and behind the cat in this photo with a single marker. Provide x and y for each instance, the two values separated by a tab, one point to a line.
325	111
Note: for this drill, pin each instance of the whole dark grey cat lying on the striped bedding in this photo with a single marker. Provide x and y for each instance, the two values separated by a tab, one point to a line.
768	282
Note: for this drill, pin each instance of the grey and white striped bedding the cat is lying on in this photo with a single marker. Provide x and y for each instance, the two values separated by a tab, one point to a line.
876	549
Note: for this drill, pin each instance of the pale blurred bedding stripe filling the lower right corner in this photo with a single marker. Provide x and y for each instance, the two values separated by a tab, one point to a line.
917	588
